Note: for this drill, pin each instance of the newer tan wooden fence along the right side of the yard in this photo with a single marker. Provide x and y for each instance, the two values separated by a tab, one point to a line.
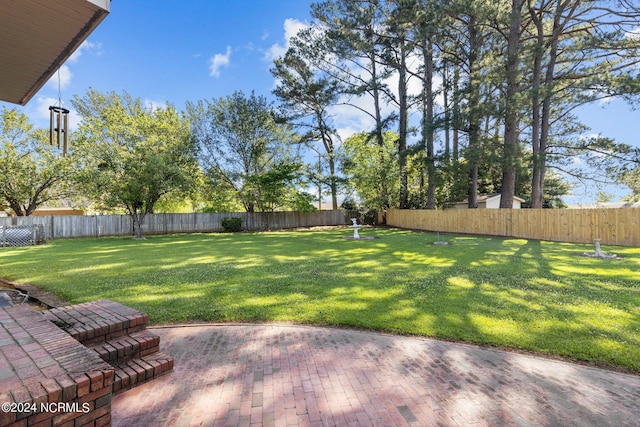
611	226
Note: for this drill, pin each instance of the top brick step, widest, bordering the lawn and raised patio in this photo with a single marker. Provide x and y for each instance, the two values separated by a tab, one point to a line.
97	321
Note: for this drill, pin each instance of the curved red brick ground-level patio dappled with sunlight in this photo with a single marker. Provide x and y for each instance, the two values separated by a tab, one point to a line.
277	375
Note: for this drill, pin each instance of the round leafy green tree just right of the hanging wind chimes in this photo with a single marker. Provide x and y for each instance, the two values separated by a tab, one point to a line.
131	155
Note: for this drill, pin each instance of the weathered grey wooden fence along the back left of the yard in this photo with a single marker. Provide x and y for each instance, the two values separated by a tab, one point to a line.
59	227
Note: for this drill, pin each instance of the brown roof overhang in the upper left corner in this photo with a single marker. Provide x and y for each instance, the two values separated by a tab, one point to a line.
37	37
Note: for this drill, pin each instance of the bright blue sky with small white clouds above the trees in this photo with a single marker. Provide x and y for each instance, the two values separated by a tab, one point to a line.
169	51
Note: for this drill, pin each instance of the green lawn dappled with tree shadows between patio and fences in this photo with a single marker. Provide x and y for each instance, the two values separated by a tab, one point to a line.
532	295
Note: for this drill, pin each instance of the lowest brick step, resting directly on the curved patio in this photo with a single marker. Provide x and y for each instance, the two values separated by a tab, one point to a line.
140	370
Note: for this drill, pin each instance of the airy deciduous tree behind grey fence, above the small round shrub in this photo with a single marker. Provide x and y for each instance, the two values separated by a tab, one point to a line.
242	146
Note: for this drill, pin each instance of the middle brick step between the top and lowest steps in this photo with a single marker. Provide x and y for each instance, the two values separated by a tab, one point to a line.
122	349
